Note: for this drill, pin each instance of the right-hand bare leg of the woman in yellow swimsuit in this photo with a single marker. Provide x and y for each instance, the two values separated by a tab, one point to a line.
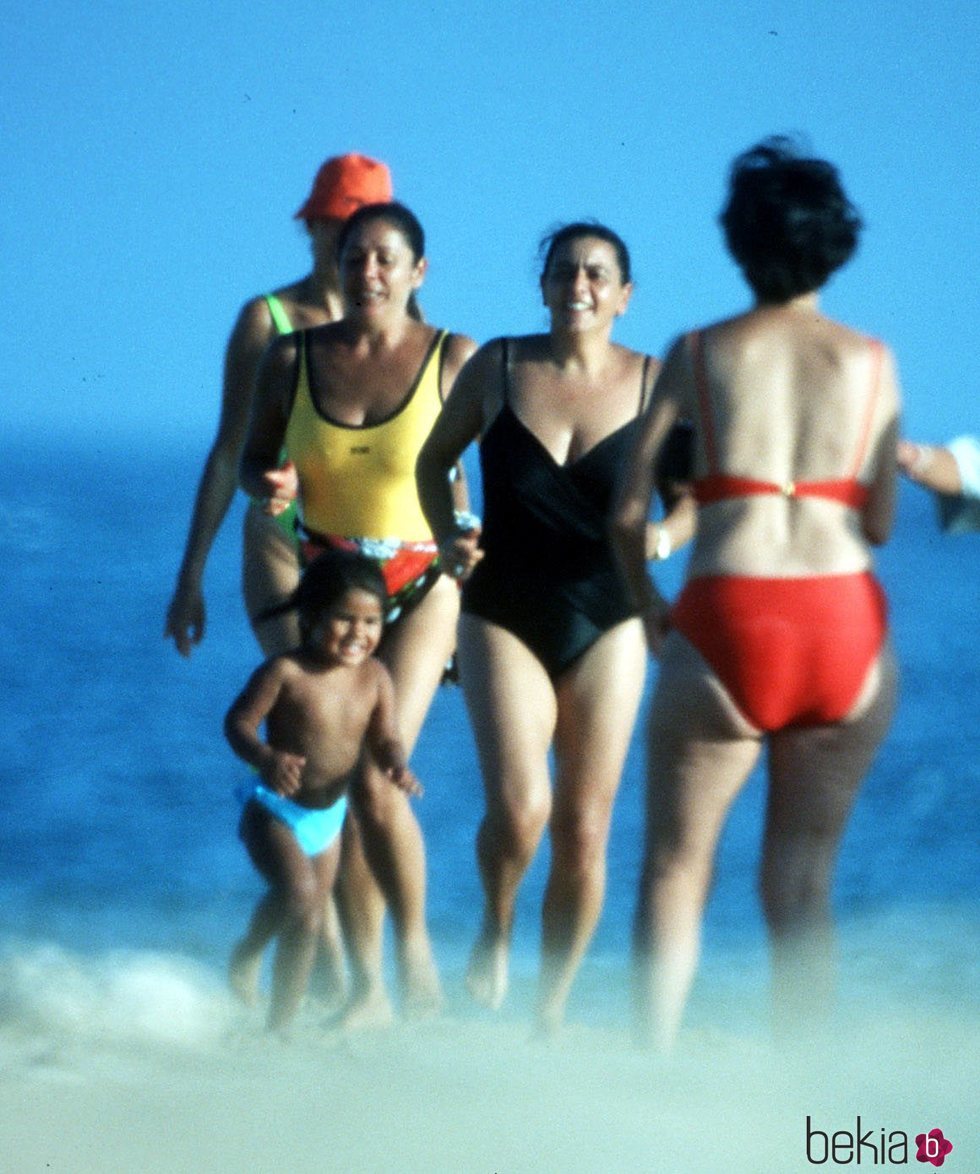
416	653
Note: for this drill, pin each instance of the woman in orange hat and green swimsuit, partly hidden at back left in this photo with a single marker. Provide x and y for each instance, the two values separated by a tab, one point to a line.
271	564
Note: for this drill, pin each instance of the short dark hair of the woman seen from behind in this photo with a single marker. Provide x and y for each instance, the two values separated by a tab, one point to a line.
788	221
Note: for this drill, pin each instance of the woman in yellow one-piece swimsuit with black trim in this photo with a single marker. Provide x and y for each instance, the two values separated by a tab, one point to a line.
353	403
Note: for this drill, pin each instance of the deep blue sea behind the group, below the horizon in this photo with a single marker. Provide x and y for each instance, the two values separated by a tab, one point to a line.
119	824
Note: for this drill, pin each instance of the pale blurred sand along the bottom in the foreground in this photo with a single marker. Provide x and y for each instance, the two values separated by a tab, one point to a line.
161	1072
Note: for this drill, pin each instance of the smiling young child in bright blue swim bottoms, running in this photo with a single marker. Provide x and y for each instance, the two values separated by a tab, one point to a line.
325	706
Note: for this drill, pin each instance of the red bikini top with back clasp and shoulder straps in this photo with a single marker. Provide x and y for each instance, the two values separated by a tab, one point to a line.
718	487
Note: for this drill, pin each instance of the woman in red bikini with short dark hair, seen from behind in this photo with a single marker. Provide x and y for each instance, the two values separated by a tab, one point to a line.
780	635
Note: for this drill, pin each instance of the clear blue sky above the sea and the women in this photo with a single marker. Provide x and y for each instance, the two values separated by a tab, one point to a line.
154	154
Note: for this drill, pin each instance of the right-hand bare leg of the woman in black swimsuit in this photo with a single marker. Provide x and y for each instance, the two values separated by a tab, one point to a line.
598	700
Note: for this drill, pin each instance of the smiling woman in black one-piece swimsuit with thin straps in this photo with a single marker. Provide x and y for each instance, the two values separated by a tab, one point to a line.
551	650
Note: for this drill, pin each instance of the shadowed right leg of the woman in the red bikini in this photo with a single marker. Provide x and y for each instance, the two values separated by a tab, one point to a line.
814	780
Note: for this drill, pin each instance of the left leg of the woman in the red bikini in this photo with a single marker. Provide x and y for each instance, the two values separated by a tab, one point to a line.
701	753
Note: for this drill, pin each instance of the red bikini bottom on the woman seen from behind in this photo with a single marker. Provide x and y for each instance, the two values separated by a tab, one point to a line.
790	652
